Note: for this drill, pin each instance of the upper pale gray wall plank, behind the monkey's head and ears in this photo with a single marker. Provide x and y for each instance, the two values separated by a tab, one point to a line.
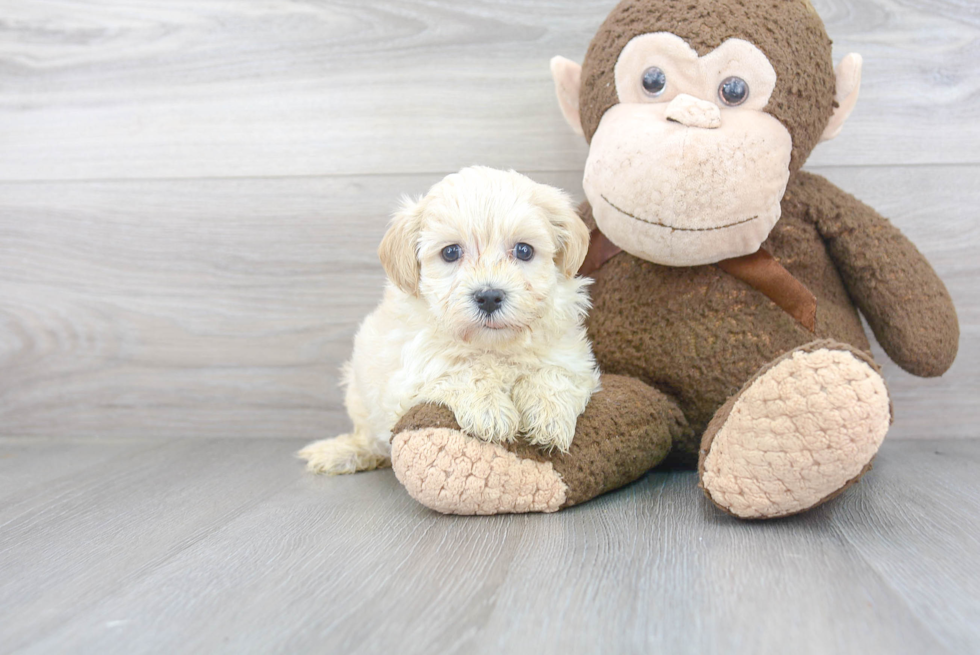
195	89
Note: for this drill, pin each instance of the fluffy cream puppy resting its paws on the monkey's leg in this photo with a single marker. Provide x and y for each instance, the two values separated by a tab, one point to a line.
482	313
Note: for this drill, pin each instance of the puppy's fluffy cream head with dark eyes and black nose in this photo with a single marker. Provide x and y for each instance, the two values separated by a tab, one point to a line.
489	251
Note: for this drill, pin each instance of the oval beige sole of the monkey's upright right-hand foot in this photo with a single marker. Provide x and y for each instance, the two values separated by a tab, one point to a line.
796	435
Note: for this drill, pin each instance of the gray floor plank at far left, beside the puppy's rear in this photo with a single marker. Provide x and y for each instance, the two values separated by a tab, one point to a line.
69	542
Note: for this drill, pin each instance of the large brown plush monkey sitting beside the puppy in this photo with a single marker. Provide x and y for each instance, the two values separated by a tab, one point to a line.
727	280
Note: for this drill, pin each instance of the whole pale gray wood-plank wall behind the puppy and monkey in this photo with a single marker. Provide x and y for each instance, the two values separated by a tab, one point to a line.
191	193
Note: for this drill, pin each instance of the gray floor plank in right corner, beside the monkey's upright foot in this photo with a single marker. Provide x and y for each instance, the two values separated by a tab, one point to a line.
917	526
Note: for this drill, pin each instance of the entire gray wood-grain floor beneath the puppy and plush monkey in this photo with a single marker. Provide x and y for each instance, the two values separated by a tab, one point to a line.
200	548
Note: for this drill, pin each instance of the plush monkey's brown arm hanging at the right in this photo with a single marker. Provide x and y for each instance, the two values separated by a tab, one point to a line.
906	304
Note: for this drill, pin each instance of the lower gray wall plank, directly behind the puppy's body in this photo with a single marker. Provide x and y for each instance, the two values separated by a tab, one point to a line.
225	307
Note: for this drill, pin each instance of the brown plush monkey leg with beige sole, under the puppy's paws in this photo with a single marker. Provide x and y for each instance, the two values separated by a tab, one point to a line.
626	430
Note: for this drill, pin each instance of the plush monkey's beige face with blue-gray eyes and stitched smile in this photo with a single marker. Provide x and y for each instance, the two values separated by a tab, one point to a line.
688	169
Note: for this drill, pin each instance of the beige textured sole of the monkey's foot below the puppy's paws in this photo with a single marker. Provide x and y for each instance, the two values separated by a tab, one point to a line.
451	473
